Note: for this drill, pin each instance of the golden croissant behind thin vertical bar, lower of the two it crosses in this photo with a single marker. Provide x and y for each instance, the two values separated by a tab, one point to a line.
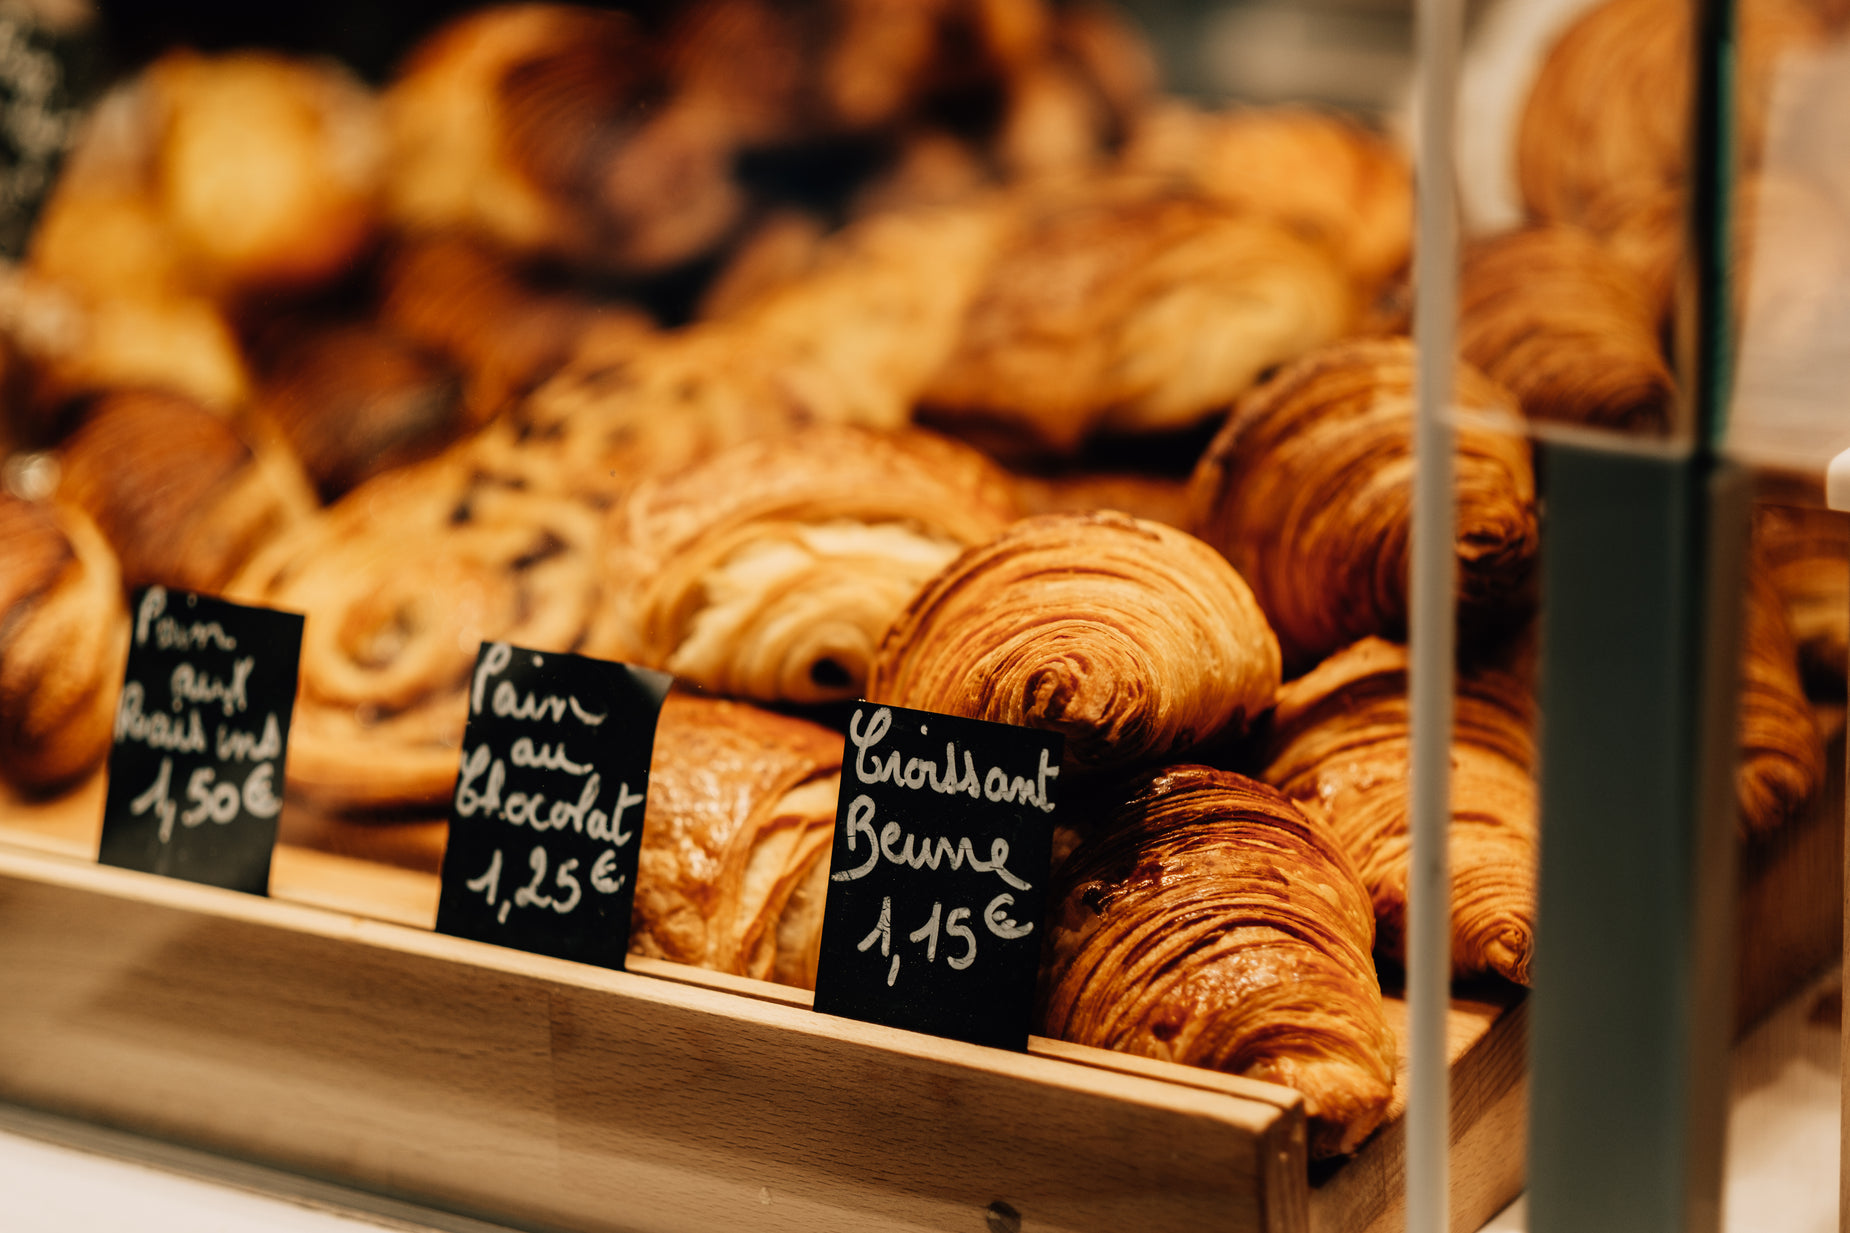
1340	747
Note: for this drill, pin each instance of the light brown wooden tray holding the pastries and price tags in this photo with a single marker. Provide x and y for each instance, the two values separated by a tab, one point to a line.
327	1030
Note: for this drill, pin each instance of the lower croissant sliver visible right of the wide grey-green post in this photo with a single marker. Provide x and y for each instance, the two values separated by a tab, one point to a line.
1782	756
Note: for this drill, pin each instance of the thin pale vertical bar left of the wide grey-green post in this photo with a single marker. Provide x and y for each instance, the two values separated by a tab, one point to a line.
1433	629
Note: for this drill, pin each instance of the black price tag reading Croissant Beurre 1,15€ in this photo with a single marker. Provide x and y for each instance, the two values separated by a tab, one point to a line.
939	877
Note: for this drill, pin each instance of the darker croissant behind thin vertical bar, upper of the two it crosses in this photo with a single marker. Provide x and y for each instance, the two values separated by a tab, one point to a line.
1309	493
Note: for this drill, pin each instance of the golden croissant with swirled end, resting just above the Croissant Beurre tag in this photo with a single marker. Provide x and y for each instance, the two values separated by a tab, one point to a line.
1133	640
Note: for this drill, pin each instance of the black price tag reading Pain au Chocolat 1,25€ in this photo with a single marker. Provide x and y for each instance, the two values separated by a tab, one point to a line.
547	819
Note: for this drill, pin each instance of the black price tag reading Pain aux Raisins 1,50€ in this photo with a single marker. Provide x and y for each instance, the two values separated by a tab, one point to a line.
197	767
